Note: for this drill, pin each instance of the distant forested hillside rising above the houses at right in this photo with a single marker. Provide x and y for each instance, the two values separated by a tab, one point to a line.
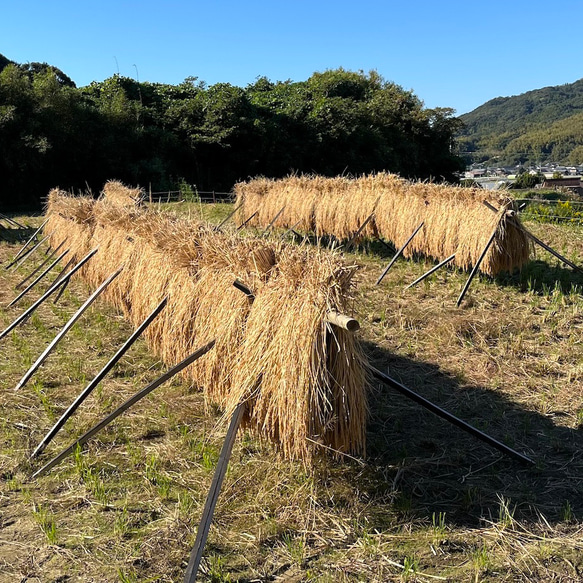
537	126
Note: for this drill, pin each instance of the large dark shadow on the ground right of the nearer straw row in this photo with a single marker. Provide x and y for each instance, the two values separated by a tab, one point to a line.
429	466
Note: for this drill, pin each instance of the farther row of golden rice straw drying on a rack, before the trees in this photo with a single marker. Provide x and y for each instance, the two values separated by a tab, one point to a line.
455	219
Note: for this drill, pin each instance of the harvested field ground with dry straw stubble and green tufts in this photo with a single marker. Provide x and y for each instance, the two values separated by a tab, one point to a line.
428	504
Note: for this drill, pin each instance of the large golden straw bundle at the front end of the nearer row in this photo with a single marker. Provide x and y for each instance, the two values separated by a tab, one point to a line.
312	373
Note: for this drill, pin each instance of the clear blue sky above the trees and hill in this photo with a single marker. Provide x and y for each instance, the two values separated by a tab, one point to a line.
451	54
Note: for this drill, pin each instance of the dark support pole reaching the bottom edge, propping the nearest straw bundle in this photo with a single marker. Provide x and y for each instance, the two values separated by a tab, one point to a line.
213	495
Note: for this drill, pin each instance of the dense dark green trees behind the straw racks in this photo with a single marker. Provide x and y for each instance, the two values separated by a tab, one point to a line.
156	135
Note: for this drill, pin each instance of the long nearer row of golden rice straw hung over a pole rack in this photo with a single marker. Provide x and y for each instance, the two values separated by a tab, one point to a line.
311	374
